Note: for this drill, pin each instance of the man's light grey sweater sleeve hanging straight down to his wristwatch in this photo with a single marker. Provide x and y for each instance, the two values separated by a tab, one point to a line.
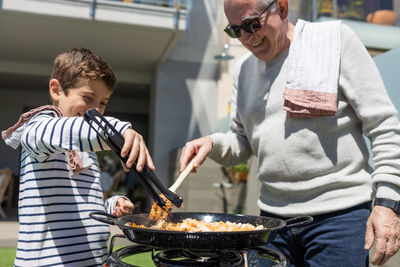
364	88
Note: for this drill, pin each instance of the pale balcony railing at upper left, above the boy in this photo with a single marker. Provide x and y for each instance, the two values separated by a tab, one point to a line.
125	11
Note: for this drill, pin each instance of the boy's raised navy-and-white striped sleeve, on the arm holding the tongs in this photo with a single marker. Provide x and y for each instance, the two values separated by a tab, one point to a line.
45	135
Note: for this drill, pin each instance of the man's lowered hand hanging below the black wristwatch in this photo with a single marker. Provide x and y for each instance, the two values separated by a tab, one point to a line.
384	226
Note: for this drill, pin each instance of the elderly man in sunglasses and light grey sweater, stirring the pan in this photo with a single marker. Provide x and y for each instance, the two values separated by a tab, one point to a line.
302	100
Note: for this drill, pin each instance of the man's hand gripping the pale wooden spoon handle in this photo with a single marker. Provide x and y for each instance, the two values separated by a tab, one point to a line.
197	150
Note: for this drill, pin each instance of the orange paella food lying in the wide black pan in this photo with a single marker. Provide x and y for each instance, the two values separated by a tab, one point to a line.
193	225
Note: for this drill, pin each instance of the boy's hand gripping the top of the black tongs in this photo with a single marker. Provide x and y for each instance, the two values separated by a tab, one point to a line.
135	144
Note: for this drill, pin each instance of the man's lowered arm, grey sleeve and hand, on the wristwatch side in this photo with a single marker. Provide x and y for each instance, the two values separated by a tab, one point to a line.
366	93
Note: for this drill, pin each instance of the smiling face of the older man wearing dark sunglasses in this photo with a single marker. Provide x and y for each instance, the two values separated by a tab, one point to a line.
269	40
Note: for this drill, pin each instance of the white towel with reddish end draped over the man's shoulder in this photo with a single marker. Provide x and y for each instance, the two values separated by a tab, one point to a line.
313	70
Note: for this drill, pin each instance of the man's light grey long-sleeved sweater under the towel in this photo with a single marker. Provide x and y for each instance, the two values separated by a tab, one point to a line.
314	165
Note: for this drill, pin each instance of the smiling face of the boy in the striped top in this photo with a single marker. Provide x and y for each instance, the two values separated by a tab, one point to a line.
90	94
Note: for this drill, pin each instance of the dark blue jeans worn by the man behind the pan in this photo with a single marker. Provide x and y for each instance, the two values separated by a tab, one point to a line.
332	239
